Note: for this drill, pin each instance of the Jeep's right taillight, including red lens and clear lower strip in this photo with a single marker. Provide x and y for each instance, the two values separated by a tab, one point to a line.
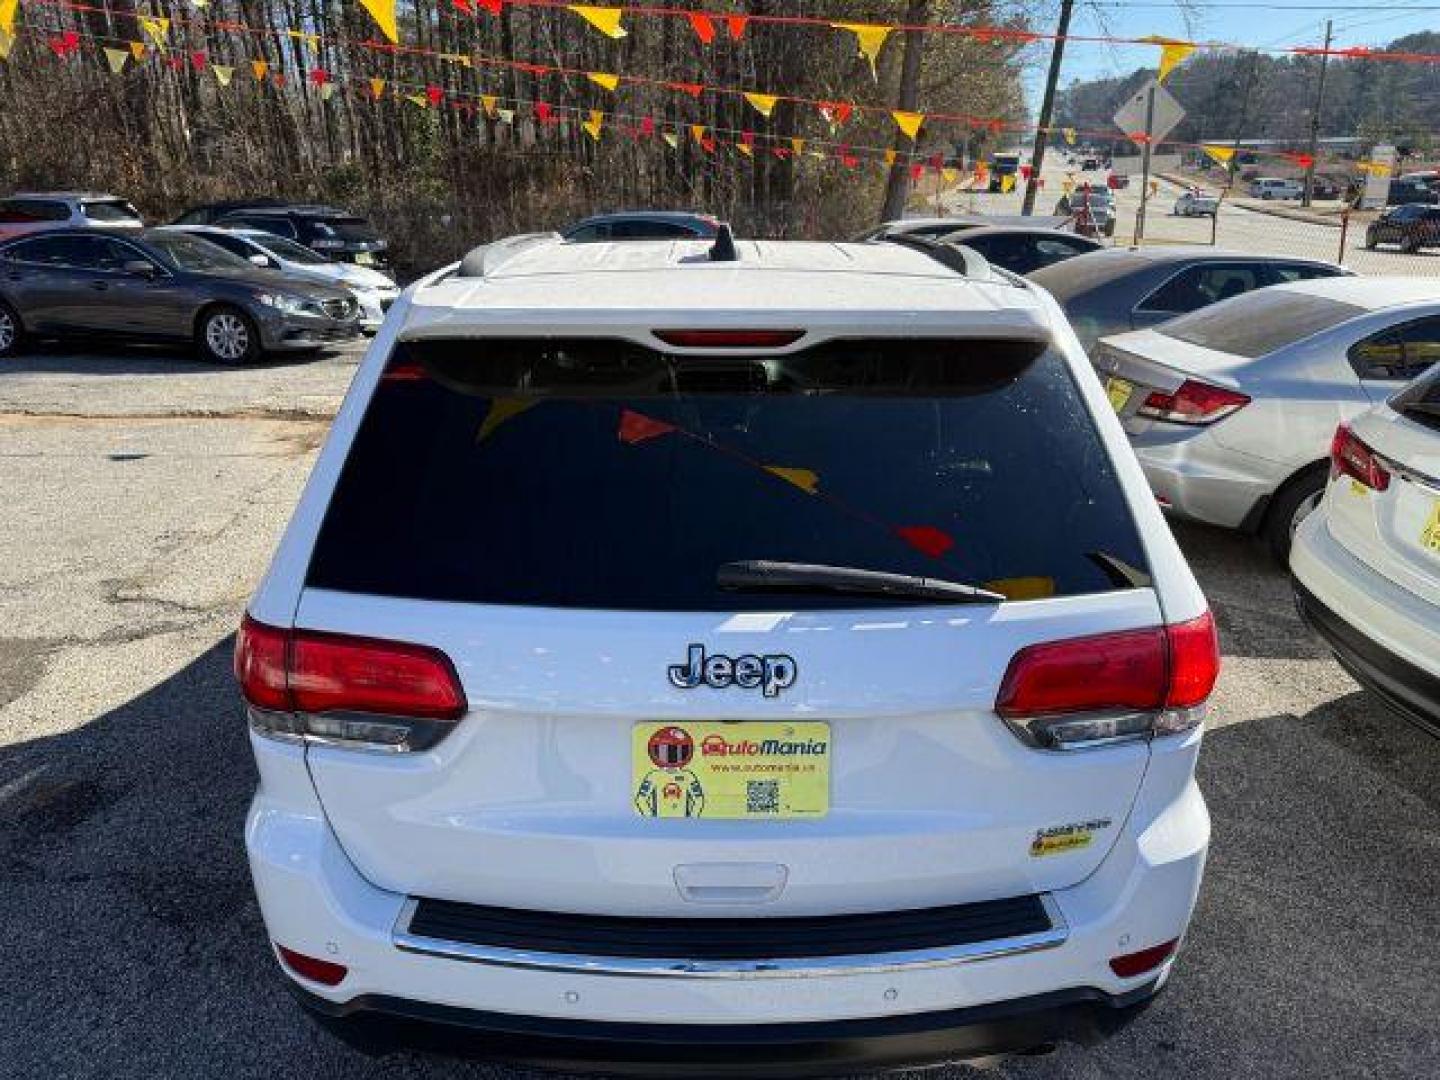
1061	695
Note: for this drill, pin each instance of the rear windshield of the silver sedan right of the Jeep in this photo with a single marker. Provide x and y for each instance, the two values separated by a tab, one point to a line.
1256	323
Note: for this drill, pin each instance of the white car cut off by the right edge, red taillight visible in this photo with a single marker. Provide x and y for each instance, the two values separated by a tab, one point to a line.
1367	565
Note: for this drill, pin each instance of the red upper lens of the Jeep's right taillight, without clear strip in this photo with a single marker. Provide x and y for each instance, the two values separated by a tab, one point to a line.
1164	667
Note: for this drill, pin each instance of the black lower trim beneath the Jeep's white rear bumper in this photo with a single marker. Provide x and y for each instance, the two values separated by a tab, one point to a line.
816	1049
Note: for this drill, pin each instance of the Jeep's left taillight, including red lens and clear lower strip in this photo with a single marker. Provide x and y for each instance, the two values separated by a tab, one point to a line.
346	690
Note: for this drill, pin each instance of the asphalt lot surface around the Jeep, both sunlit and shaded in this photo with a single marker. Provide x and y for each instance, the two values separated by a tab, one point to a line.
143	496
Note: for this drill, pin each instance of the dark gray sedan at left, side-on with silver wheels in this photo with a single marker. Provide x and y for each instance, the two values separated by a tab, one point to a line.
158	286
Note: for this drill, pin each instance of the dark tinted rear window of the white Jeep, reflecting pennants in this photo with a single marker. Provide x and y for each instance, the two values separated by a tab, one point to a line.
604	474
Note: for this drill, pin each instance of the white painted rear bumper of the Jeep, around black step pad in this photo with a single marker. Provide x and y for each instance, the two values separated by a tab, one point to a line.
318	904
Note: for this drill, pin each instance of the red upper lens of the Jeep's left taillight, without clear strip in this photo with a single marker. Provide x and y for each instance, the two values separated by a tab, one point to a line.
328	673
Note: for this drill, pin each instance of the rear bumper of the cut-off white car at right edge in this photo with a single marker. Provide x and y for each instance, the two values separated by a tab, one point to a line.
1389	640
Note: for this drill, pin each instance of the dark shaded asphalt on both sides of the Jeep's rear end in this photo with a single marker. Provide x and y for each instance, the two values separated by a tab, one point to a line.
135	947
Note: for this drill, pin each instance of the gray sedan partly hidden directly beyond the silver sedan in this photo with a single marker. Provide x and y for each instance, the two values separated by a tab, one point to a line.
1128	289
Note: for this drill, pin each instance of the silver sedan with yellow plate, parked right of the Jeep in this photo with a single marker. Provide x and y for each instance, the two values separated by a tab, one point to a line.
1232	410
